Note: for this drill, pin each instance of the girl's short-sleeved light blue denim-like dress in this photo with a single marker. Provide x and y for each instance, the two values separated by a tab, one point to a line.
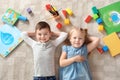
76	70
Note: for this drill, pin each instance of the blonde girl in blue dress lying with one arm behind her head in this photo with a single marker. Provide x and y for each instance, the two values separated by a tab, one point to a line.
73	59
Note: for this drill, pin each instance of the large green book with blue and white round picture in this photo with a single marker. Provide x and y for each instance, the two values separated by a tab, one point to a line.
111	17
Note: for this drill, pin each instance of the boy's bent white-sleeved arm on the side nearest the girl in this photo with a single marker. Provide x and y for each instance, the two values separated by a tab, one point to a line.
61	36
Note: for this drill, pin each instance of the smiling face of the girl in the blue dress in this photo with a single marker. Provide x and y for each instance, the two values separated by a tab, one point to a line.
77	39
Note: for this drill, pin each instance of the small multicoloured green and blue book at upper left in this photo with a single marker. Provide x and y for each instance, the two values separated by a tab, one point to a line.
10	16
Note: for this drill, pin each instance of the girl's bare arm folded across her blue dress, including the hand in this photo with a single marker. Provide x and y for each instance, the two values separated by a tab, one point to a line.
65	62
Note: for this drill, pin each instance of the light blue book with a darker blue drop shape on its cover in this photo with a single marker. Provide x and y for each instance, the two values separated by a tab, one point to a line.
10	38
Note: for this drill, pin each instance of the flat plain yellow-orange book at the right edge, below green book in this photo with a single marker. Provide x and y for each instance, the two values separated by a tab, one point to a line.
113	43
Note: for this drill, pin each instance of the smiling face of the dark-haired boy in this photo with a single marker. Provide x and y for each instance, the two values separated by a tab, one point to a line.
43	35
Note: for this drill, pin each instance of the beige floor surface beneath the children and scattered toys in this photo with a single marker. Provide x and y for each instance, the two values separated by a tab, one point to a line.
19	64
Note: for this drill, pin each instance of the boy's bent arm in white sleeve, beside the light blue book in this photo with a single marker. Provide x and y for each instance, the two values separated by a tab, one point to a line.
27	37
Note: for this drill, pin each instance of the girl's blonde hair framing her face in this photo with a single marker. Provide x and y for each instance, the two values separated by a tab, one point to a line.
82	31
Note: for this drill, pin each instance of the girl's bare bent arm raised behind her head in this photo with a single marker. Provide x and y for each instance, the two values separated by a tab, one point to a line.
93	44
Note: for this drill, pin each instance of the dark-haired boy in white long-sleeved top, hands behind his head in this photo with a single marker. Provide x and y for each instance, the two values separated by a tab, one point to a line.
43	50
